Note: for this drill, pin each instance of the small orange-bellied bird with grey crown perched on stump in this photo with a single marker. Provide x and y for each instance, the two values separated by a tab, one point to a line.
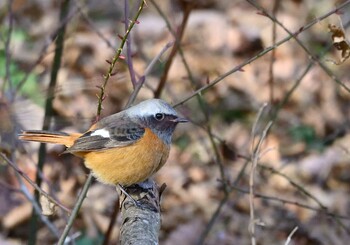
125	148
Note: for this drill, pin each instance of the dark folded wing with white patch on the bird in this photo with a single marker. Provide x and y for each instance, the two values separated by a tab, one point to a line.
110	132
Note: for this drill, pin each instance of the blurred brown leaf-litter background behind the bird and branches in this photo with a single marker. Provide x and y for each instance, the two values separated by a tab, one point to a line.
286	110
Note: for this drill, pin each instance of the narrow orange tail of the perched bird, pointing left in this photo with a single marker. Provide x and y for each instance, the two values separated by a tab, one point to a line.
49	137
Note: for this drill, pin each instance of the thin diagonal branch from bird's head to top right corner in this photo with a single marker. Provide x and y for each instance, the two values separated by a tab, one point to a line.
262	53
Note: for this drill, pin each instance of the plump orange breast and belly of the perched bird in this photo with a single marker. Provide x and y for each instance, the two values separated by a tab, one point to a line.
131	164
